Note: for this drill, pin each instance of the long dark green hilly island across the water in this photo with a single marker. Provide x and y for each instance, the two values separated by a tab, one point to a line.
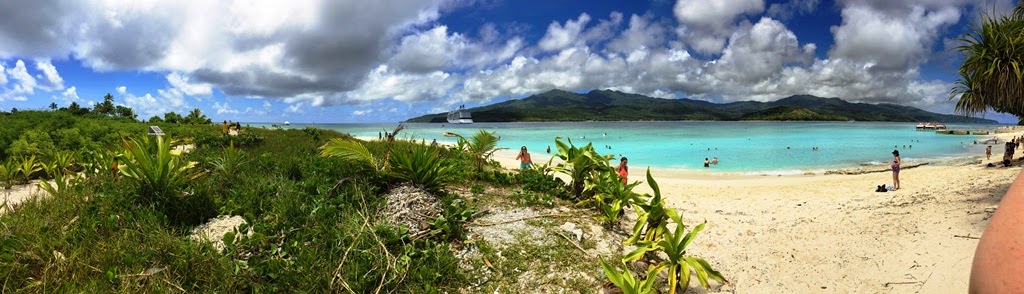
561	106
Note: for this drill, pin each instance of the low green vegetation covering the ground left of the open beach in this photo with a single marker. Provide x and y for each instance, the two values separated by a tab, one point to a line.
121	207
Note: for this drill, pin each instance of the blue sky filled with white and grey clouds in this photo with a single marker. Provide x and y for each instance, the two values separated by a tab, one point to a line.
388	61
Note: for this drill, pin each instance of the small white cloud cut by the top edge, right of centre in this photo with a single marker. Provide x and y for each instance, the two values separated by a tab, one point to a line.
707	24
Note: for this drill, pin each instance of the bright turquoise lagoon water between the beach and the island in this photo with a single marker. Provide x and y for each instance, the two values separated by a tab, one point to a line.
741	147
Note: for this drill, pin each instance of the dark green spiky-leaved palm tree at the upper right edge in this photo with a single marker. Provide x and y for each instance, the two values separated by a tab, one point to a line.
993	73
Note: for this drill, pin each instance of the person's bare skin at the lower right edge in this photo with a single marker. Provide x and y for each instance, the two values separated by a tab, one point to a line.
999	261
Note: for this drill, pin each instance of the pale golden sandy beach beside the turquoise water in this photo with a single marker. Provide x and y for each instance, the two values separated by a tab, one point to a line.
833	233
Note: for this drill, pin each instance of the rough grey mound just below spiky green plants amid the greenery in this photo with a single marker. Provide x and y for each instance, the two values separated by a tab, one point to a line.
412	207
